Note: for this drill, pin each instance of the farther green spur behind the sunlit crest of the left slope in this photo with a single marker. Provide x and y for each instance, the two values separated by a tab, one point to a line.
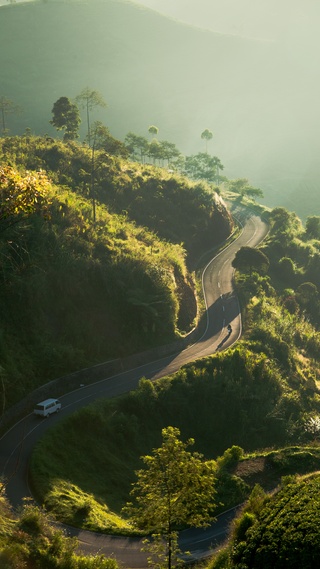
173	207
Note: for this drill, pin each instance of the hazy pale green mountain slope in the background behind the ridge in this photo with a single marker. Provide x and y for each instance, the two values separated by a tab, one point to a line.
154	70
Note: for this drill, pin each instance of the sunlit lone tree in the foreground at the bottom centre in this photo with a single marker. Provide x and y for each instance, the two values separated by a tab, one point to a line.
175	488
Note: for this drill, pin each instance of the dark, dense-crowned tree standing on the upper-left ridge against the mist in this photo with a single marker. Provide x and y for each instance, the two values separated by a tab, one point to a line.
66	117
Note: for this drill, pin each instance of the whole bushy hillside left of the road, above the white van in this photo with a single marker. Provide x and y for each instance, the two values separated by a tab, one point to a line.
76	292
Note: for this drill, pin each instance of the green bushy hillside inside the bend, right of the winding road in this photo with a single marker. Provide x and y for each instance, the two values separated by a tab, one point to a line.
259	395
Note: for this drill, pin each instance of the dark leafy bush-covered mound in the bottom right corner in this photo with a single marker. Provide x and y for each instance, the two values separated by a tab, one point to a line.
285	533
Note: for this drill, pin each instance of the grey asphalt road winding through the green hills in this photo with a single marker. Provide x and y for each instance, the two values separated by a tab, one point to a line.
222	309
